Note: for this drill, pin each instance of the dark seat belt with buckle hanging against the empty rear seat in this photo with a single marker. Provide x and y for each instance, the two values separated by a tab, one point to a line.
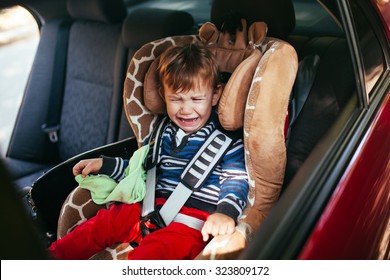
53	116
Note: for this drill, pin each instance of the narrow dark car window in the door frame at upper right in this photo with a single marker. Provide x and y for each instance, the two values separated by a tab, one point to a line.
370	47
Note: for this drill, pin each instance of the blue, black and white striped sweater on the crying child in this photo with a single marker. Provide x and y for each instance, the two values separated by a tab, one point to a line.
225	191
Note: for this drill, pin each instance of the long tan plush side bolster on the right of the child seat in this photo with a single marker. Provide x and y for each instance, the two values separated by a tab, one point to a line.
264	140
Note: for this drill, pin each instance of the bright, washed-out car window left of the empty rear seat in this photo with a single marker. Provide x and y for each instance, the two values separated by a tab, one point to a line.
19	36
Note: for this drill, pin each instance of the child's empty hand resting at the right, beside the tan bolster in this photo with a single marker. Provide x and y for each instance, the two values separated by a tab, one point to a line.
218	224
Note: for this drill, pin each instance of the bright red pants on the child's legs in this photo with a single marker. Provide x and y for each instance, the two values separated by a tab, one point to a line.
121	223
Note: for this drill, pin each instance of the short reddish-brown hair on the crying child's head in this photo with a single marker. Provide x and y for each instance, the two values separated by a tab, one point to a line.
180	67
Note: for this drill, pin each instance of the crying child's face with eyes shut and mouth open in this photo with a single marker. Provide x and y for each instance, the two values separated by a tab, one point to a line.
191	110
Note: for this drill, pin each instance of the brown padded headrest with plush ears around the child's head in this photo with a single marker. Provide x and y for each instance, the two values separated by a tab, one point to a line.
236	55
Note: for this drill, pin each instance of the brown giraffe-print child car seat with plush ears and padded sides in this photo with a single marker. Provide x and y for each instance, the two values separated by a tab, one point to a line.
255	98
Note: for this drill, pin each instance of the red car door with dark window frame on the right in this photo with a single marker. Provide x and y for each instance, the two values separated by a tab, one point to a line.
338	204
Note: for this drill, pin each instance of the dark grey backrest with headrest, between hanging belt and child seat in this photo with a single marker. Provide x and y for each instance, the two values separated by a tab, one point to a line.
95	56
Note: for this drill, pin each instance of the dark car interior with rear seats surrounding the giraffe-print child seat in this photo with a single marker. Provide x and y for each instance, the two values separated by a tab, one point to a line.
82	57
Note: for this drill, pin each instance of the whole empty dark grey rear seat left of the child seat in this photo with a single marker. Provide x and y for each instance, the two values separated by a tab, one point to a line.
93	71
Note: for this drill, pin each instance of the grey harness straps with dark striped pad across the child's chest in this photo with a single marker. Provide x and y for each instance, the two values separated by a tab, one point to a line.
194	175
